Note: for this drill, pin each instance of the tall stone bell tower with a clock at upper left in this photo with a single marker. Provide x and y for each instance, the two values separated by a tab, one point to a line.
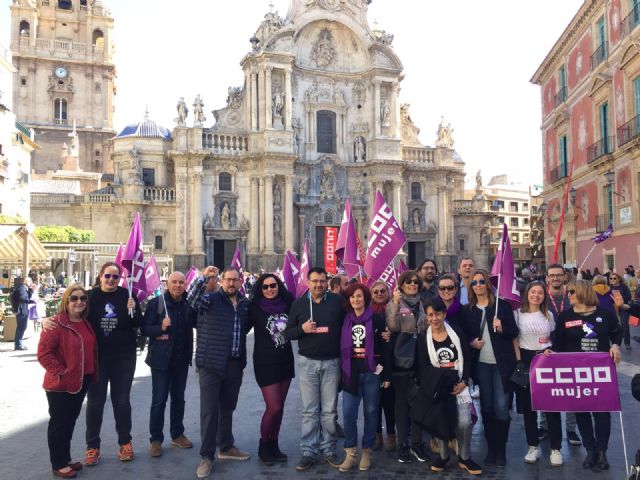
63	53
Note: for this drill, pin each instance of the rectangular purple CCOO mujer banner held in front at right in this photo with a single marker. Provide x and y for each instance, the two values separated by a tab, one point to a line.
574	382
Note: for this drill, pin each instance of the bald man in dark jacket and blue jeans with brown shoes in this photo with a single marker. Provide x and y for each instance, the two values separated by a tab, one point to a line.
168	322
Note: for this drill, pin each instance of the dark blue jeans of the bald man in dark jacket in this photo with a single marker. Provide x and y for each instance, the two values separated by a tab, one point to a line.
163	382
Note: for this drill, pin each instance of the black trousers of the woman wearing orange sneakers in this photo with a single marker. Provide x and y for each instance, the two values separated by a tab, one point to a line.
114	371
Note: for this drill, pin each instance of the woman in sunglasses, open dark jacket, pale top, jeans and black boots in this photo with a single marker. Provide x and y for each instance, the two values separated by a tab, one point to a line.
491	335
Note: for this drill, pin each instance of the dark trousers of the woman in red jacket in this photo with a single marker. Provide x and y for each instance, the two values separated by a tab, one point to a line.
64	409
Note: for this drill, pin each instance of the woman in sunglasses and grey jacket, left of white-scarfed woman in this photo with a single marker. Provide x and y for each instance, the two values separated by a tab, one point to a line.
405	314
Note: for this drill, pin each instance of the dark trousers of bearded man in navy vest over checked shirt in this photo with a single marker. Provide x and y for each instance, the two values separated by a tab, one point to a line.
218	400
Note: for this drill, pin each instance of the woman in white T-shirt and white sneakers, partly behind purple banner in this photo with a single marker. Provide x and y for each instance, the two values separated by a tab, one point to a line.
536	324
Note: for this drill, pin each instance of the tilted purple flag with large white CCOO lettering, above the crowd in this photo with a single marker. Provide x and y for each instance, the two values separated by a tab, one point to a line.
386	239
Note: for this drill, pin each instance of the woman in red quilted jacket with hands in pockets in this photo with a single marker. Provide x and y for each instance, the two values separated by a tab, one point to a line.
69	356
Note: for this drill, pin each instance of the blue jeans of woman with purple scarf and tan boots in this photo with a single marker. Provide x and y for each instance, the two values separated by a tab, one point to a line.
369	393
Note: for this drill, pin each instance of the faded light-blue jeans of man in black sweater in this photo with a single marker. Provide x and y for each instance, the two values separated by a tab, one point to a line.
319	381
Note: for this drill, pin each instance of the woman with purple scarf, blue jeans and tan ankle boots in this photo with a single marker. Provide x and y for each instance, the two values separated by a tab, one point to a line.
365	363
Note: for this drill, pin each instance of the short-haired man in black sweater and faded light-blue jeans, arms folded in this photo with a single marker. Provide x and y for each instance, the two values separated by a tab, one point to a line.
315	320
